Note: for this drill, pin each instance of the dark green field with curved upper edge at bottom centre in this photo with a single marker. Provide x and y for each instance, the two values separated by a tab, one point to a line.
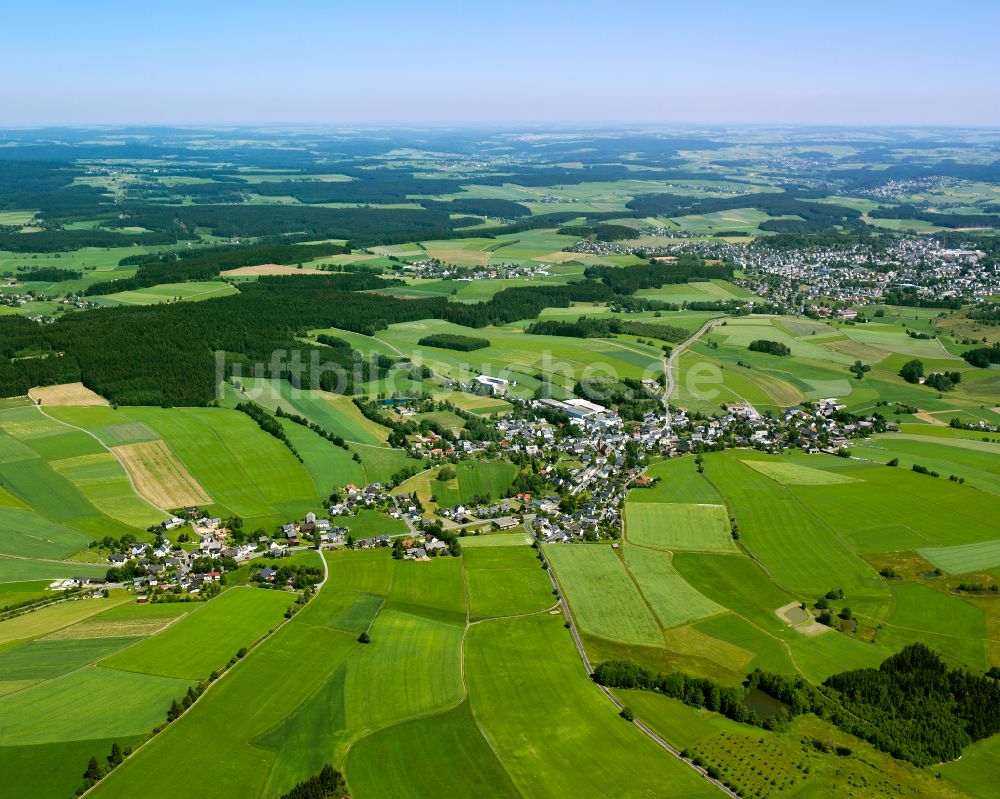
459	764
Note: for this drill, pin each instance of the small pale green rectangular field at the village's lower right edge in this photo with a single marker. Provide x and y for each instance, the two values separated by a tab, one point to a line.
678	526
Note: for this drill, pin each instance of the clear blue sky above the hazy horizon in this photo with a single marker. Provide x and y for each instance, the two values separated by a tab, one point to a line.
384	61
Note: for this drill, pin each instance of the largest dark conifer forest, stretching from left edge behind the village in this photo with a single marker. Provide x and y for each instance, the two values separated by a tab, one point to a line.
113	350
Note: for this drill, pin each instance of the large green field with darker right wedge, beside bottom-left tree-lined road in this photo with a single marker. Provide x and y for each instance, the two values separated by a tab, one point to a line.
283	736
